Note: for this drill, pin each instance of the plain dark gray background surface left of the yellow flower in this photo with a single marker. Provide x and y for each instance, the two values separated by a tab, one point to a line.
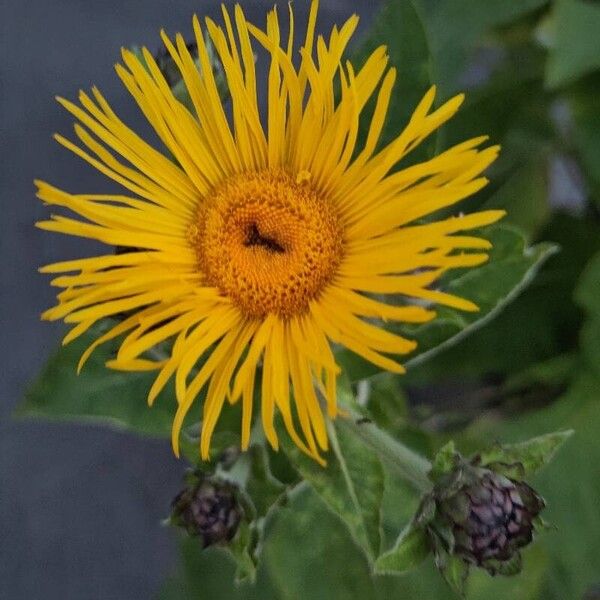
79	506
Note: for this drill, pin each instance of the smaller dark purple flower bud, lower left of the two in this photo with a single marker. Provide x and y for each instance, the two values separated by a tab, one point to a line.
209	509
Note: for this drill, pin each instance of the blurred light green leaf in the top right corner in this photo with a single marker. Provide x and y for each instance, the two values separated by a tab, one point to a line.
576	48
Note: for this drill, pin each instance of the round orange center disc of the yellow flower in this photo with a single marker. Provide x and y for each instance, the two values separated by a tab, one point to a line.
268	241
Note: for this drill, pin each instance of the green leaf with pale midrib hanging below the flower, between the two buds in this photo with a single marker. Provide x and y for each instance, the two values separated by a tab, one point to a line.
351	485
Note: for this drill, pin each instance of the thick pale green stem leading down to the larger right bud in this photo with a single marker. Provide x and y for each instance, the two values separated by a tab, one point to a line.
411	466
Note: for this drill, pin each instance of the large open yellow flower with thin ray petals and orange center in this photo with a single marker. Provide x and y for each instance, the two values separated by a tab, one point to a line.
263	247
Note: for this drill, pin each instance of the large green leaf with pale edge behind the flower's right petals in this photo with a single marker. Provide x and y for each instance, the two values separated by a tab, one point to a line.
511	268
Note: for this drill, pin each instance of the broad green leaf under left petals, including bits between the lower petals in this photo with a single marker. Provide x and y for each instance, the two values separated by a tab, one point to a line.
117	398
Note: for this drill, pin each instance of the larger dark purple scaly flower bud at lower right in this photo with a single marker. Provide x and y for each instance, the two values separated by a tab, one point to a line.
491	517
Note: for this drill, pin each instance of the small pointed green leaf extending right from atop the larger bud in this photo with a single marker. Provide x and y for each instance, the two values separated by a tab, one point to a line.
531	455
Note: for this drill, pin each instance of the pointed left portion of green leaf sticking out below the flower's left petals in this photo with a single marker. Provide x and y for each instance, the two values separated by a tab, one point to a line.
98	394
